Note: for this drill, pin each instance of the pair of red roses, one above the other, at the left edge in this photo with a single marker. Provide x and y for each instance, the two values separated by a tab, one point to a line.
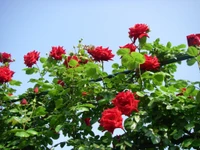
5	73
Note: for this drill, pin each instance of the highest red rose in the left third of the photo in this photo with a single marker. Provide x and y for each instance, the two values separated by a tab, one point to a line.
57	52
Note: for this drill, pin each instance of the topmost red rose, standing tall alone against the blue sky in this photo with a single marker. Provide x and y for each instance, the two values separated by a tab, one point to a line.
138	31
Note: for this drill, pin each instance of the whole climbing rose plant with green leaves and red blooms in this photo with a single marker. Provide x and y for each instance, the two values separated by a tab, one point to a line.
141	97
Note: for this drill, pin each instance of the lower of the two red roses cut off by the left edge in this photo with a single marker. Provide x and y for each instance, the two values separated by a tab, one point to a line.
5	74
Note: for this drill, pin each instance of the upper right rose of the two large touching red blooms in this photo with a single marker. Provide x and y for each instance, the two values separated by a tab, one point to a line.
126	102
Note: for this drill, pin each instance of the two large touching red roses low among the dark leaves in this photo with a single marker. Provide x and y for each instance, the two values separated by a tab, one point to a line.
124	104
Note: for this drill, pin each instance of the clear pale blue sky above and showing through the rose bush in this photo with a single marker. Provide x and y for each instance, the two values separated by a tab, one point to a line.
27	25
